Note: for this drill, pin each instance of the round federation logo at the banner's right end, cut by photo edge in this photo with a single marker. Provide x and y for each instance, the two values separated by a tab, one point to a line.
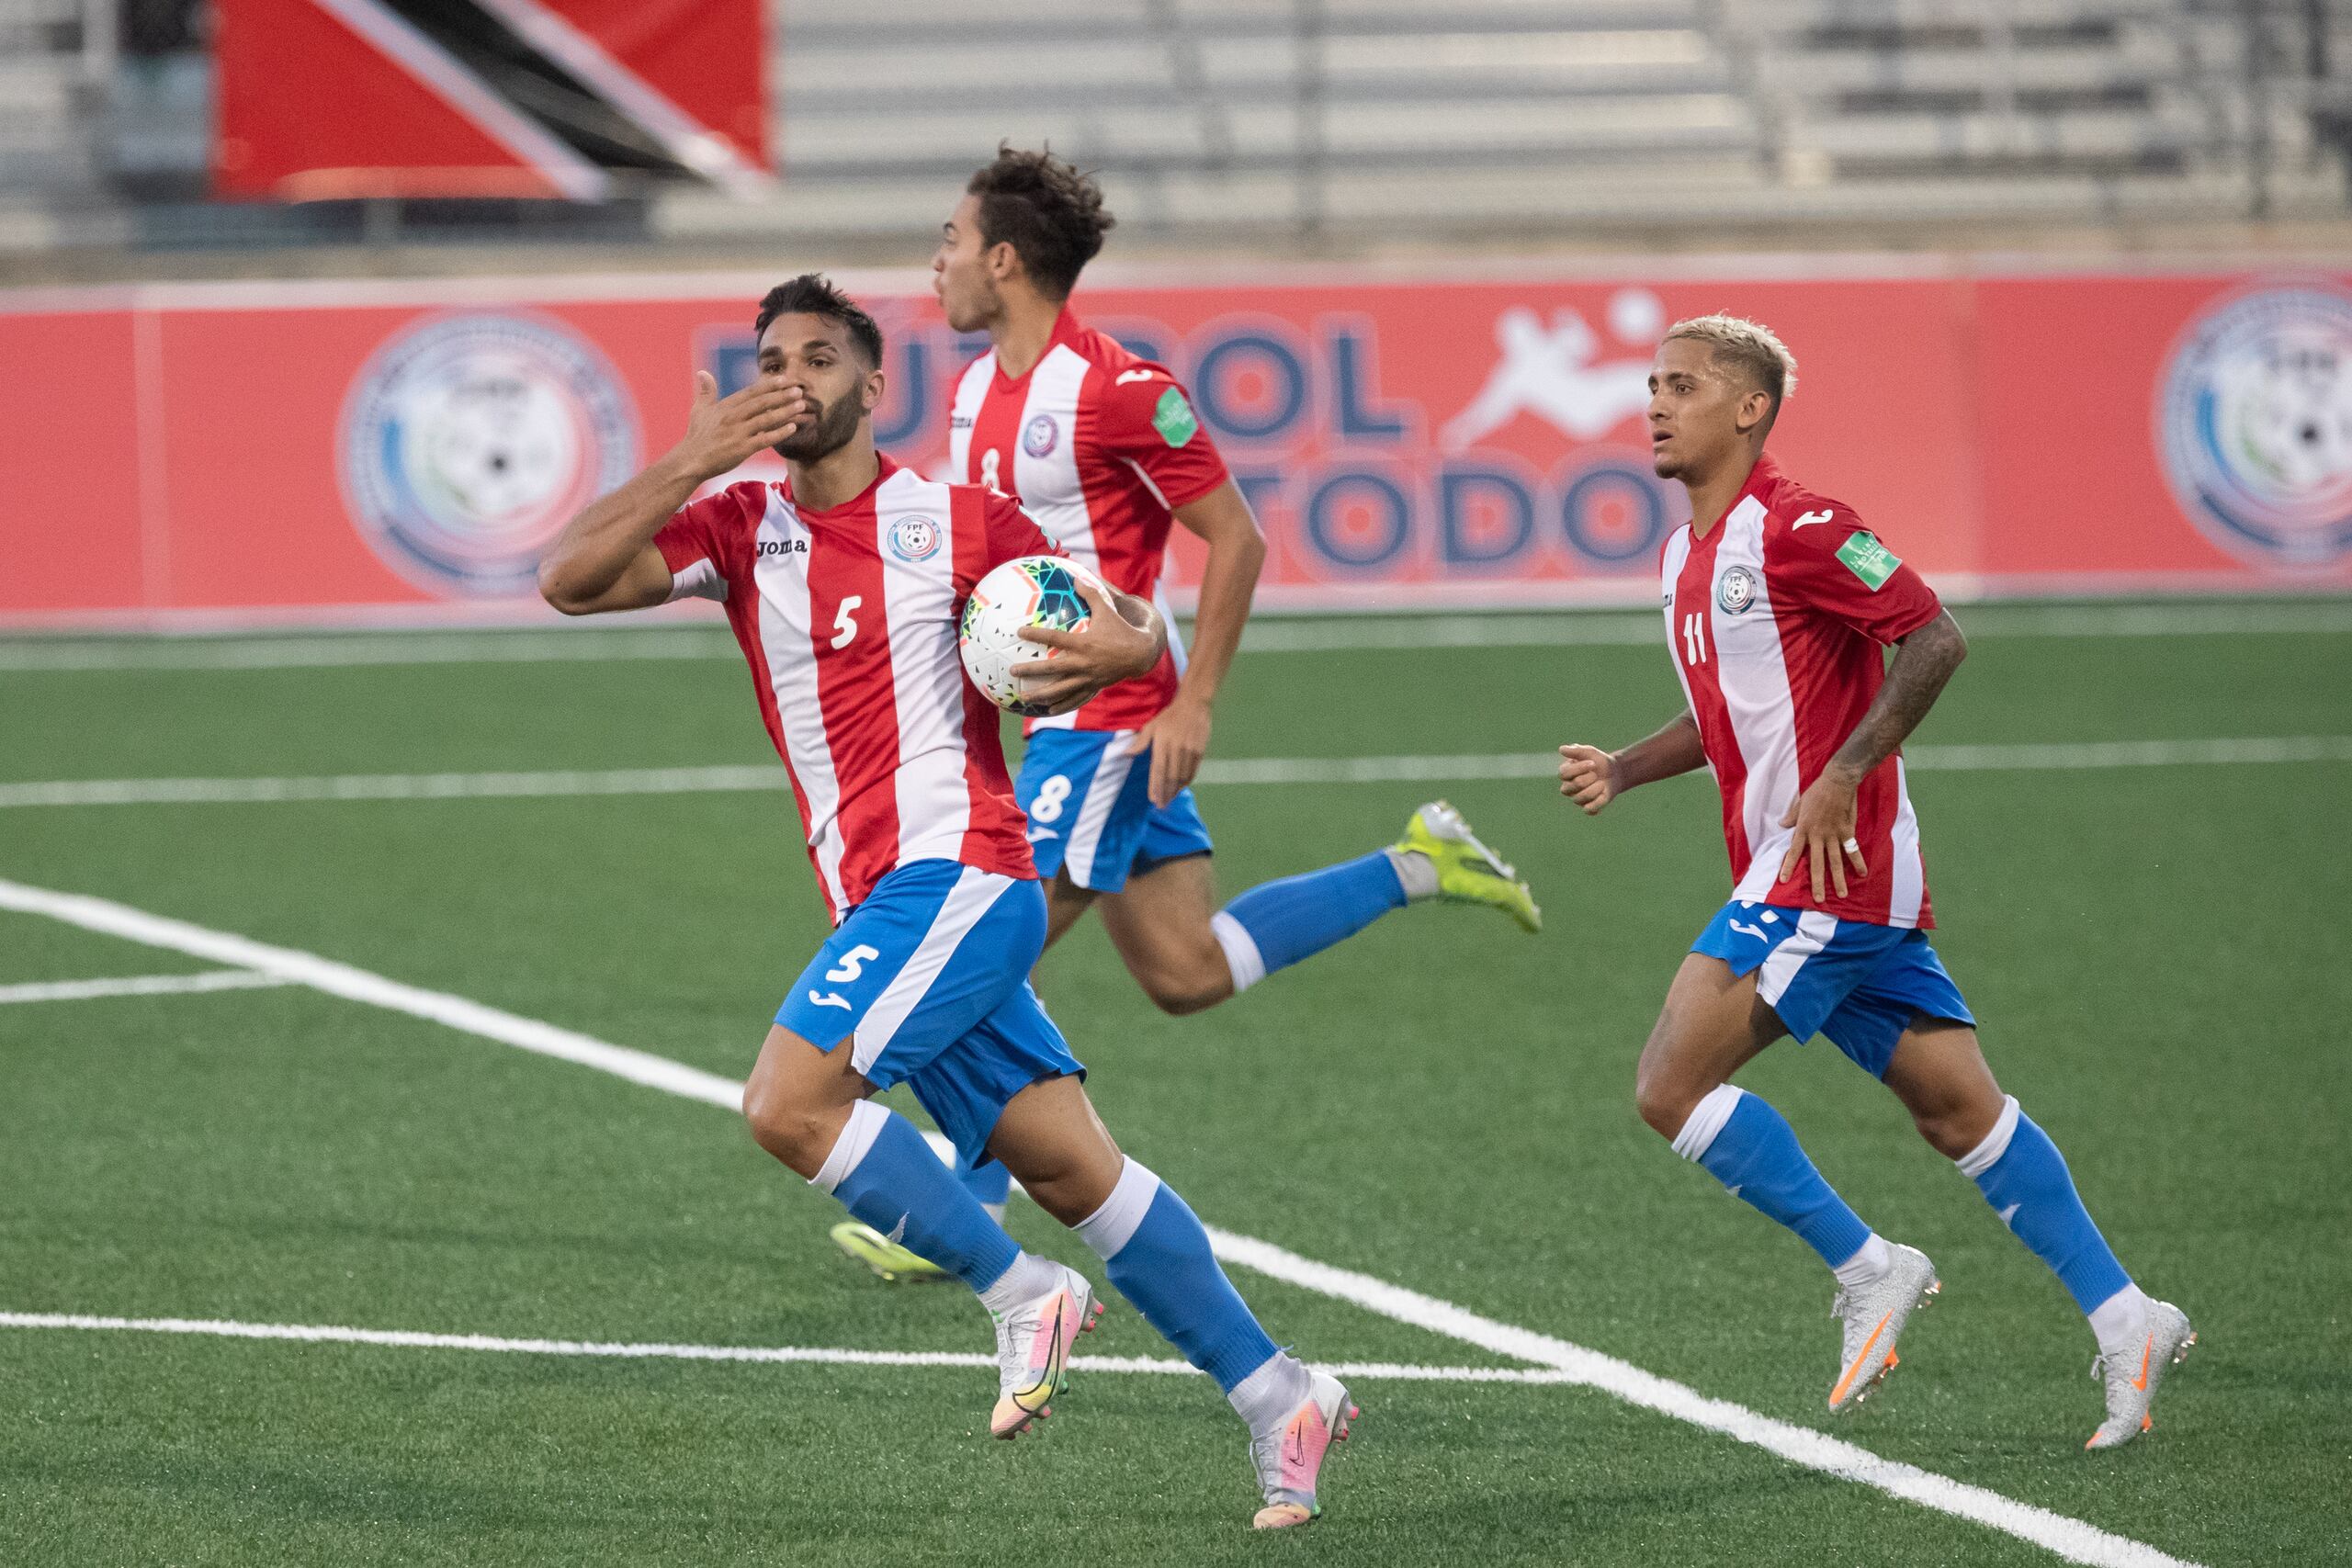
2254	424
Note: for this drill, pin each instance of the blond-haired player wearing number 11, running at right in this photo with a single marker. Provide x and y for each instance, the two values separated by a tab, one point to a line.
1777	605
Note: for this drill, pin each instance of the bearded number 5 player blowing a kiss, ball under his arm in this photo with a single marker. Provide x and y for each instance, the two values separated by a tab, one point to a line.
843	587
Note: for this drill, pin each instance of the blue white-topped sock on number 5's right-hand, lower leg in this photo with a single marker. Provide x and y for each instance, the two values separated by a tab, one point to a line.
1158	1254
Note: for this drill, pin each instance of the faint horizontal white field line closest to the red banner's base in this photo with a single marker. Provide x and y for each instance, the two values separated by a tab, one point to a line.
1267	636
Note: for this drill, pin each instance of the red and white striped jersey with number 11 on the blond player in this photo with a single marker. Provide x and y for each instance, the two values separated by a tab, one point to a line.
1777	622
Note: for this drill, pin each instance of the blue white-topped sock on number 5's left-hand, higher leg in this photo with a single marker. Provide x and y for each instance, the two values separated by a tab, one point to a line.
886	1174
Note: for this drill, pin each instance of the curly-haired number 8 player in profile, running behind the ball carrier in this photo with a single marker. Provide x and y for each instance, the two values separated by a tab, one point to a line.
1107	453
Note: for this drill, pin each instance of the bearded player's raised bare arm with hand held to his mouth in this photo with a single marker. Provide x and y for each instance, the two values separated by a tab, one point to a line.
606	558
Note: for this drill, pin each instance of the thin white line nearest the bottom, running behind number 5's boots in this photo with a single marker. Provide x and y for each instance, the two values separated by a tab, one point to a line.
768	1355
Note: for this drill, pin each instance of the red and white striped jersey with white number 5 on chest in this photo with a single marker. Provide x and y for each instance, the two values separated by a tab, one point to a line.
848	619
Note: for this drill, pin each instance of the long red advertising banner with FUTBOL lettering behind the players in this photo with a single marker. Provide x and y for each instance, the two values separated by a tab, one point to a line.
316	453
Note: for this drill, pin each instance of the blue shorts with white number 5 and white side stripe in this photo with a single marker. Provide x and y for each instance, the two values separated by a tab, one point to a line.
928	986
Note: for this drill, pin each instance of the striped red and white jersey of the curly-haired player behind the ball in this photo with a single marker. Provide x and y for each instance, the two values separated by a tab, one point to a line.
1100	448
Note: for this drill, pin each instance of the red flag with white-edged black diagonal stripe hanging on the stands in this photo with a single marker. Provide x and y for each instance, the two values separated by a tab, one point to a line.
323	100
